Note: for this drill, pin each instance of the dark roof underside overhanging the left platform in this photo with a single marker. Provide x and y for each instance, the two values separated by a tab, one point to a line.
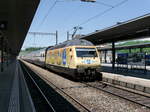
17	16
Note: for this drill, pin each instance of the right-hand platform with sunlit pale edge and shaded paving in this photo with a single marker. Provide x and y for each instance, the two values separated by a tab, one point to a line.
134	79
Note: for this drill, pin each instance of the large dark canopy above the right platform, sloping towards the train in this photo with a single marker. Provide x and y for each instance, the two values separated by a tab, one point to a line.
132	29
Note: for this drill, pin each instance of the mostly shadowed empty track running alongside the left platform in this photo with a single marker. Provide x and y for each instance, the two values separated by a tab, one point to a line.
47	97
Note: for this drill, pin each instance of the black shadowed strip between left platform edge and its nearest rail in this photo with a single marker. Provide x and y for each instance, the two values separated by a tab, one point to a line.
41	103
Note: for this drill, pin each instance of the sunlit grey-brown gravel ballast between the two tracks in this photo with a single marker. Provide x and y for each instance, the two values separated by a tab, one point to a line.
96	100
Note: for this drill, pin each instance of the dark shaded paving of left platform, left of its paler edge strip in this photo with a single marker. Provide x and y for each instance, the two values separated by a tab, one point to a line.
6	81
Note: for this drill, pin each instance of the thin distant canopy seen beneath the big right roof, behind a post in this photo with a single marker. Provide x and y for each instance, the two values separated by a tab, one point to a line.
145	45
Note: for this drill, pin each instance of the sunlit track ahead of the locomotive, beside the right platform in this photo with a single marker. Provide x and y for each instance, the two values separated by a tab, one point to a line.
121	92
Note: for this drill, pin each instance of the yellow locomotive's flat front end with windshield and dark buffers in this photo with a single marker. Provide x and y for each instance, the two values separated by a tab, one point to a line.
87	62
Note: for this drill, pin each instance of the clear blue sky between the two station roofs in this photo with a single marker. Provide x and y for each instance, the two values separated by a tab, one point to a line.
63	15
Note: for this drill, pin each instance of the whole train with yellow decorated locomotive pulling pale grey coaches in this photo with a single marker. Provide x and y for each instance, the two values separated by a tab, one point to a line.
77	58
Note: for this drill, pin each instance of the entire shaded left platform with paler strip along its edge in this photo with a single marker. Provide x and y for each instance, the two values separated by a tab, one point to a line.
14	94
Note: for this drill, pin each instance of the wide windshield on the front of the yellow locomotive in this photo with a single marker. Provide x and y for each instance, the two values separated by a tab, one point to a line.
86	52
